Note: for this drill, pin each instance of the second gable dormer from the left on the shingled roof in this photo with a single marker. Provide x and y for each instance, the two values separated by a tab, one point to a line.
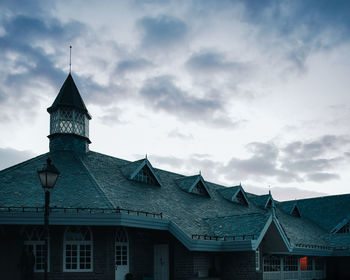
194	184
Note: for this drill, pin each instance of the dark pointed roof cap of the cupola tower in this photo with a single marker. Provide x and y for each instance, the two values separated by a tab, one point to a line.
68	96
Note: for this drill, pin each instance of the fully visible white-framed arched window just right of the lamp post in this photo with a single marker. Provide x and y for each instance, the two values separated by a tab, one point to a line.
78	249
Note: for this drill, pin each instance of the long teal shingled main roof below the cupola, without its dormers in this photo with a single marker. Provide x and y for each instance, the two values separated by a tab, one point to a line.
97	180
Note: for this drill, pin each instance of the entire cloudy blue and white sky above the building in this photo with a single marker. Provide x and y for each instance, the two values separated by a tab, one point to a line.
244	91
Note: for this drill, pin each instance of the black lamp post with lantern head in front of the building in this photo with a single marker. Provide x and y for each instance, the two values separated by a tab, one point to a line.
48	176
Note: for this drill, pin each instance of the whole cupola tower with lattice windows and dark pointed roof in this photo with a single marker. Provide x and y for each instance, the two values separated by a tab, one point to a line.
69	120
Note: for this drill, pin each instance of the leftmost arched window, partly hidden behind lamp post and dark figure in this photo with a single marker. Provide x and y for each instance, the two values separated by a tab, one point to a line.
34	240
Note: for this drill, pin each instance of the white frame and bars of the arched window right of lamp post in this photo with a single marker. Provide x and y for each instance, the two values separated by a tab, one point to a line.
78	243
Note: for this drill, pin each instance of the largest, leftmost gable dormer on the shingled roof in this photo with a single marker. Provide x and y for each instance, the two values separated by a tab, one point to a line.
141	171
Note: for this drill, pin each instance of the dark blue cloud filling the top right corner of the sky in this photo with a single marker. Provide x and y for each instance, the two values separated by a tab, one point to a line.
287	16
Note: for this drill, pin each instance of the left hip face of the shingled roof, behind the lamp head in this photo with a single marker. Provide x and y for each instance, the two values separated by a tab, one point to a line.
20	185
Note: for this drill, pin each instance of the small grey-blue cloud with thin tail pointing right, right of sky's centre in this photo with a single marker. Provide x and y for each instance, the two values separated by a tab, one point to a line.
210	61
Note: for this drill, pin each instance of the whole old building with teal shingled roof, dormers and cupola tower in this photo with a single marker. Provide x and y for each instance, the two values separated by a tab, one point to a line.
110	217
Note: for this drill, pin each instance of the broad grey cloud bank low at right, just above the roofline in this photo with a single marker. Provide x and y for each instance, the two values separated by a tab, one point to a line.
297	161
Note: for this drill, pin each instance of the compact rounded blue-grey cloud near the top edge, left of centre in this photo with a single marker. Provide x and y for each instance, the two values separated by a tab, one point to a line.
161	31
